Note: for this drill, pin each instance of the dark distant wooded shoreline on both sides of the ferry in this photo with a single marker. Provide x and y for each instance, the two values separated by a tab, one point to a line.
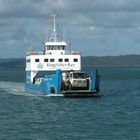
122	61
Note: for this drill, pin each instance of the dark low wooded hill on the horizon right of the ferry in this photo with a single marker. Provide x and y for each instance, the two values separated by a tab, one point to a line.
112	61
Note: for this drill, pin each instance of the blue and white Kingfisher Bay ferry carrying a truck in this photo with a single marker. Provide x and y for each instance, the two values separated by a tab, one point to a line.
56	71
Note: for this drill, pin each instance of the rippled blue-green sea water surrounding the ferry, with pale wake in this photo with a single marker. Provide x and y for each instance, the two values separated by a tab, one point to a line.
115	115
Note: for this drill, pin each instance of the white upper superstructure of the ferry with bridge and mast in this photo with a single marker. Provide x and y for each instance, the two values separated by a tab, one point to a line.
54	56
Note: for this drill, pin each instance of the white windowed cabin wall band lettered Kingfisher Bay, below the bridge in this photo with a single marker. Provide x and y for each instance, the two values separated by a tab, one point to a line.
52	66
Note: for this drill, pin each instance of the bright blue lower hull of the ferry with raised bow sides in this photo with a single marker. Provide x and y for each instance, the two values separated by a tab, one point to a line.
52	86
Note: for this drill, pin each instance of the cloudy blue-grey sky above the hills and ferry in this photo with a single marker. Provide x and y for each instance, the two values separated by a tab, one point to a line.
94	27
